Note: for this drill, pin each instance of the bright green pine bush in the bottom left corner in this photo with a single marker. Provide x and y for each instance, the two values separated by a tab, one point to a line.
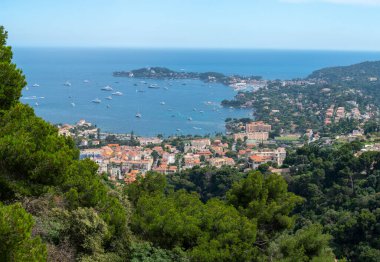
16	242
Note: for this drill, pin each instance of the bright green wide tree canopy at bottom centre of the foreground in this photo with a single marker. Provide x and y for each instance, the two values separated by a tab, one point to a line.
180	219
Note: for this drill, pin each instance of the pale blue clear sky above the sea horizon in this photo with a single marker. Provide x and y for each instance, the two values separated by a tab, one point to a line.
241	24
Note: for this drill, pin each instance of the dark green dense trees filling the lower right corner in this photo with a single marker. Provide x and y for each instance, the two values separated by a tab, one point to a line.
342	193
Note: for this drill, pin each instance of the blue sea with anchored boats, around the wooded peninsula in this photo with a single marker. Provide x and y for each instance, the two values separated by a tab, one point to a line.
183	107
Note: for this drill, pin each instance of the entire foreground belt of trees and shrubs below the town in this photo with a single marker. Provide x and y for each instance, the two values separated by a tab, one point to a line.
56	207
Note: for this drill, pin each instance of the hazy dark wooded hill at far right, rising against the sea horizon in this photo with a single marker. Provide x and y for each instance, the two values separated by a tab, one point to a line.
366	72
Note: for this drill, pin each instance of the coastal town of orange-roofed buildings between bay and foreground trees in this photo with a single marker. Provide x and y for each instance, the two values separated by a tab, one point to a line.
124	157
